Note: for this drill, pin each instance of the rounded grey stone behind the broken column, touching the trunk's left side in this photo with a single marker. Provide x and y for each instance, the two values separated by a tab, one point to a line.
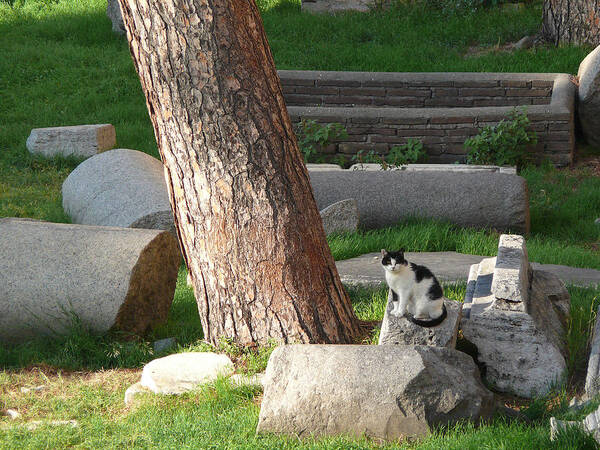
120	188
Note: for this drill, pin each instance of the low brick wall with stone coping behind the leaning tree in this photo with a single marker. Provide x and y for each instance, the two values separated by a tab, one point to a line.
381	110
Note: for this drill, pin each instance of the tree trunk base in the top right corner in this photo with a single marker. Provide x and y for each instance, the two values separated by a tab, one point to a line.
575	22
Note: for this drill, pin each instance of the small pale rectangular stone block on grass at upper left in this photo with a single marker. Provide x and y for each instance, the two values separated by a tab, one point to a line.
80	140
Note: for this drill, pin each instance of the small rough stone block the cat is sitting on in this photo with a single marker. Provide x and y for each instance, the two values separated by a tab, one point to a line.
399	330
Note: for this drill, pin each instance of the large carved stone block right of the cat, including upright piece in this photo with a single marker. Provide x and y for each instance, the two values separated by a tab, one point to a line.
517	323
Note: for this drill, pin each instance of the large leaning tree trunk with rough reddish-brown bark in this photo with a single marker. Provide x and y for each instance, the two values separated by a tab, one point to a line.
247	221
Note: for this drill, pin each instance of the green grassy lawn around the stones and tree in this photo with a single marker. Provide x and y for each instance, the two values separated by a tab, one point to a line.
60	64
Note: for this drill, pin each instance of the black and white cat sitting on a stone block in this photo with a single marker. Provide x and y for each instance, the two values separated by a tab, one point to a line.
416	291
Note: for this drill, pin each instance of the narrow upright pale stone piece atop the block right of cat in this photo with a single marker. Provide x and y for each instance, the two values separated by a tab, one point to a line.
512	271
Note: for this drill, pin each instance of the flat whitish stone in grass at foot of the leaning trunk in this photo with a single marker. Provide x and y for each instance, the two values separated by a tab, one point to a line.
182	372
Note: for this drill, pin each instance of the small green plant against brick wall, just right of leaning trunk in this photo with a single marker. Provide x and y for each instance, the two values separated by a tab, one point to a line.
313	137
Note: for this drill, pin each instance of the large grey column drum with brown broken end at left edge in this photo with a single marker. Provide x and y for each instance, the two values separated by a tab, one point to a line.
109	278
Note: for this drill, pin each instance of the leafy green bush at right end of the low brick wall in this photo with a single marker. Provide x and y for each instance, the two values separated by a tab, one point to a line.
503	144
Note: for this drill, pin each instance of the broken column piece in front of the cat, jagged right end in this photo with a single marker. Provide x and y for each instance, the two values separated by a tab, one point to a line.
383	391
